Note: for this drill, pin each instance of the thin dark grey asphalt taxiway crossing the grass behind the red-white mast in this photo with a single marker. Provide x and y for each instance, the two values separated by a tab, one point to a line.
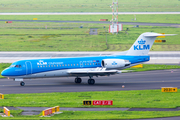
101	22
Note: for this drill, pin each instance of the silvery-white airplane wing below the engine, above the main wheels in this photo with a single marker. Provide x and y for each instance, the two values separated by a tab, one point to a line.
101	72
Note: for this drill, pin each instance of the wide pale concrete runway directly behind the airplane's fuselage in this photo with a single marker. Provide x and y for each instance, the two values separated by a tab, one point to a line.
167	57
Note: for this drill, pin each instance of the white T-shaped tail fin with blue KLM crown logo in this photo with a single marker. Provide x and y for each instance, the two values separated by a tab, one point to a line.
144	43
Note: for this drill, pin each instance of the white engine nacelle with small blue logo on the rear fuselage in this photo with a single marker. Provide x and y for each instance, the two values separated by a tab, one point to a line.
114	63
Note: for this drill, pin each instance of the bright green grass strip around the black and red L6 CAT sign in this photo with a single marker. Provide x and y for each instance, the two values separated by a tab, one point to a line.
121	99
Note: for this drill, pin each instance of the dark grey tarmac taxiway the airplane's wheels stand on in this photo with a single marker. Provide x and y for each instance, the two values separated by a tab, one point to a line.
131	81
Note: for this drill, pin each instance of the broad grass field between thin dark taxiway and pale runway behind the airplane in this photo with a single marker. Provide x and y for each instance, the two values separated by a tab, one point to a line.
69	37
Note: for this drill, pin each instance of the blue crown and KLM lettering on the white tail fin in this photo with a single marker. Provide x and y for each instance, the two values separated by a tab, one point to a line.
142	45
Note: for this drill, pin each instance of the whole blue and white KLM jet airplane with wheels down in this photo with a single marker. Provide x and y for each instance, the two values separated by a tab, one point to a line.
83	66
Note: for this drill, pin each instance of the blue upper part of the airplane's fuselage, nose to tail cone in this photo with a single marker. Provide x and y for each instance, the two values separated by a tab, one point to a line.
26	67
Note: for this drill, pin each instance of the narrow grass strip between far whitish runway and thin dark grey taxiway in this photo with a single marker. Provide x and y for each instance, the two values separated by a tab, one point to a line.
121	18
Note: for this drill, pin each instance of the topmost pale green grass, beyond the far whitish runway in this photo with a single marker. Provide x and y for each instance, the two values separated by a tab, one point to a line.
87	5
